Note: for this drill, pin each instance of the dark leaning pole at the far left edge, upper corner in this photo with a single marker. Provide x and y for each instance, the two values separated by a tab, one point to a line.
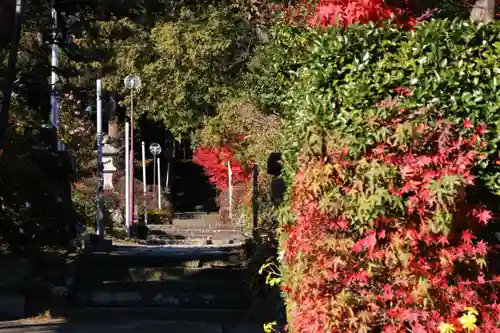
10	75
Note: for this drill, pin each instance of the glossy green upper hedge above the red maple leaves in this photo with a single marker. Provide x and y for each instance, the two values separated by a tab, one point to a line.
450	66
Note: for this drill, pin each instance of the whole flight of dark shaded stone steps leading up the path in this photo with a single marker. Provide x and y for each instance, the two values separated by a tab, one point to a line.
138	283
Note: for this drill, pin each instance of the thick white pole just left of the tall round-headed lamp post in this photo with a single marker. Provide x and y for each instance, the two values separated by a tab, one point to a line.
100	167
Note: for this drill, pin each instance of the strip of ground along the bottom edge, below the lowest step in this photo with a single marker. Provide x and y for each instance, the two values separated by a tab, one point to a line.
124	327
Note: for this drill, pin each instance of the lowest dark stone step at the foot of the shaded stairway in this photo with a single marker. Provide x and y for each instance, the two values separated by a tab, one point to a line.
117	314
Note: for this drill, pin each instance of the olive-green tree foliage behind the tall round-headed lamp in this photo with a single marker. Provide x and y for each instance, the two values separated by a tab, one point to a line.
188	62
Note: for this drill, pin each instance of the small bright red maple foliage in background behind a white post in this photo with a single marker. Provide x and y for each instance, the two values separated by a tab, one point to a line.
215	162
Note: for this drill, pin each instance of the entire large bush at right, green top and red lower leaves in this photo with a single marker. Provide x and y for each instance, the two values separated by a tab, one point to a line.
391	135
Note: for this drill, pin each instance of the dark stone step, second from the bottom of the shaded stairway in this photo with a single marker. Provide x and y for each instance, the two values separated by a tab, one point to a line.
165	299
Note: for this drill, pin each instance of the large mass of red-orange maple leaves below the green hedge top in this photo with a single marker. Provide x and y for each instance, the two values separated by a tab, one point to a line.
398	270
